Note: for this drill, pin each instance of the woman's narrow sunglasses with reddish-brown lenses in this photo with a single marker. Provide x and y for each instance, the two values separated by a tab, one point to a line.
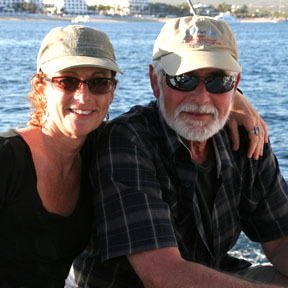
95	85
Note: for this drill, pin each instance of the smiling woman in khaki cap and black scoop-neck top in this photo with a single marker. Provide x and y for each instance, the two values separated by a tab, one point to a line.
45	199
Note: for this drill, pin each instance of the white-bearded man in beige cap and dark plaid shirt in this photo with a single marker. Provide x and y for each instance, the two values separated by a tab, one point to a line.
173	196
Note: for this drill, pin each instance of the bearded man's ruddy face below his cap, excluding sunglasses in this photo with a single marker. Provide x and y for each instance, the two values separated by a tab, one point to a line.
195	115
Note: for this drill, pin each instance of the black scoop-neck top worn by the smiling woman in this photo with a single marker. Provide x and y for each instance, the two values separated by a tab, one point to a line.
36	247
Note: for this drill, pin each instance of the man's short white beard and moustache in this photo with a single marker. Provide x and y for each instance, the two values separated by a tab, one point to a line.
189	129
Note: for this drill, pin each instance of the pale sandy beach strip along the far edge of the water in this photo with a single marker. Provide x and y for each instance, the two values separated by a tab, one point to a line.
40	17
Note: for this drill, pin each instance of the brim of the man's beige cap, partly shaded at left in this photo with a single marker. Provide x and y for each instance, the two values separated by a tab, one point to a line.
182	62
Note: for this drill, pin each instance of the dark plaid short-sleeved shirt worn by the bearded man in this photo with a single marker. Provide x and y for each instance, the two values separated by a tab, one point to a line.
146	179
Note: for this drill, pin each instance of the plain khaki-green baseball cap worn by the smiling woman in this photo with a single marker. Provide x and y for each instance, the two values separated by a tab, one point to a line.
76	46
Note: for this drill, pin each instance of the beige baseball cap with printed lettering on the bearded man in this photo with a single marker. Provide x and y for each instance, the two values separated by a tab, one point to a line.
195	42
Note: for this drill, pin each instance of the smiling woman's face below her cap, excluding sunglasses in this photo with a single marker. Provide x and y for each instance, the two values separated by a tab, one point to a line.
78	112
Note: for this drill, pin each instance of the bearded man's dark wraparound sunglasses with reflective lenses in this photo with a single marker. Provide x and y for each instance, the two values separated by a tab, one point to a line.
216	84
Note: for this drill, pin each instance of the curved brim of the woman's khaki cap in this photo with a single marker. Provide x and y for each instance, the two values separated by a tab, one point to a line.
66	62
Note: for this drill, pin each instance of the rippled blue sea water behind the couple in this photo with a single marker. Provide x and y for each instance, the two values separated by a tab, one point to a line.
263	57
